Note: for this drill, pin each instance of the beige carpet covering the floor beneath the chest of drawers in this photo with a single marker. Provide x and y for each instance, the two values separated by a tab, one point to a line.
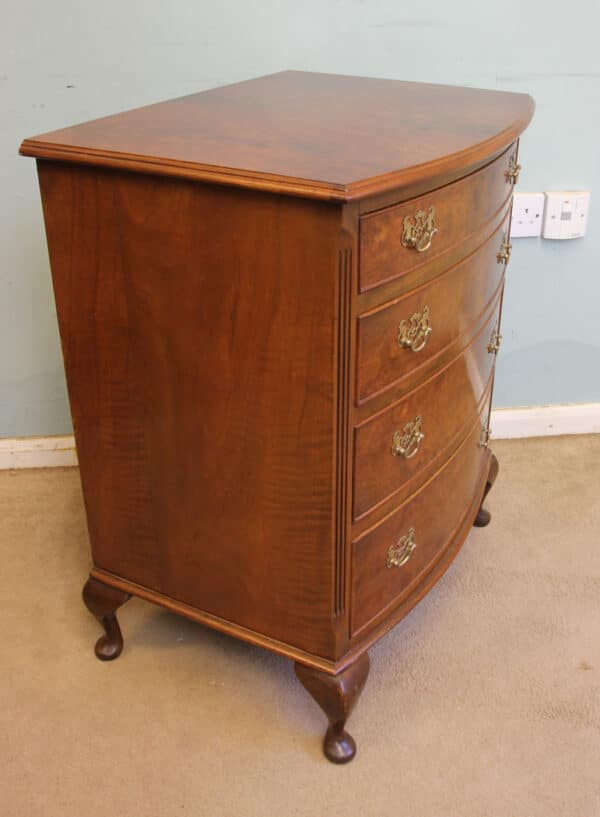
484	702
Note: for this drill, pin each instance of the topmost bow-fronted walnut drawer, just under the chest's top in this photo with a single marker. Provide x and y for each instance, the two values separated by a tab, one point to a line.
401	238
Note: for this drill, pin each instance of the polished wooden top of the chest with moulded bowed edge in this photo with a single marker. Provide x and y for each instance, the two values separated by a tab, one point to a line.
315	135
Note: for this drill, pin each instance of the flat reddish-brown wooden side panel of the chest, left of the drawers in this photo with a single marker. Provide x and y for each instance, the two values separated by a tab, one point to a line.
198	326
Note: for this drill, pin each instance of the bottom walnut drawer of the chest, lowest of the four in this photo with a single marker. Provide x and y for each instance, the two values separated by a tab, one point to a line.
388	560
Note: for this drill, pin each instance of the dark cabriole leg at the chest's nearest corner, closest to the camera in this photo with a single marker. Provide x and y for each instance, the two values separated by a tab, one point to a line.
336	695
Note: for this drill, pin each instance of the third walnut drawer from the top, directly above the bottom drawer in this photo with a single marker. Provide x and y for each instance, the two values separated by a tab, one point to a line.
393	446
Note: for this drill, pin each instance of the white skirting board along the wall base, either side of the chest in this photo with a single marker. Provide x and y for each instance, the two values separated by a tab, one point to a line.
534	421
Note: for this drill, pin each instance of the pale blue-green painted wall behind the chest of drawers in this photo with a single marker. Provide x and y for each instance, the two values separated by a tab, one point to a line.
67	61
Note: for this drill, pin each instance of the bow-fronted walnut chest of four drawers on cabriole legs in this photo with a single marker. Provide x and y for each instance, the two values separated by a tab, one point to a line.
279	305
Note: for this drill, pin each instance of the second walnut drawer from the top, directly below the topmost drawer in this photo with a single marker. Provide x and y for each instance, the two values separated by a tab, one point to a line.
410	332
